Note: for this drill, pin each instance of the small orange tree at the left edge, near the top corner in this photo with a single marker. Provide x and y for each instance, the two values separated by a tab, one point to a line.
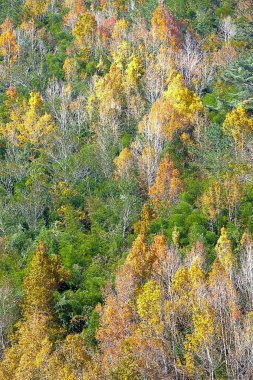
9	49
